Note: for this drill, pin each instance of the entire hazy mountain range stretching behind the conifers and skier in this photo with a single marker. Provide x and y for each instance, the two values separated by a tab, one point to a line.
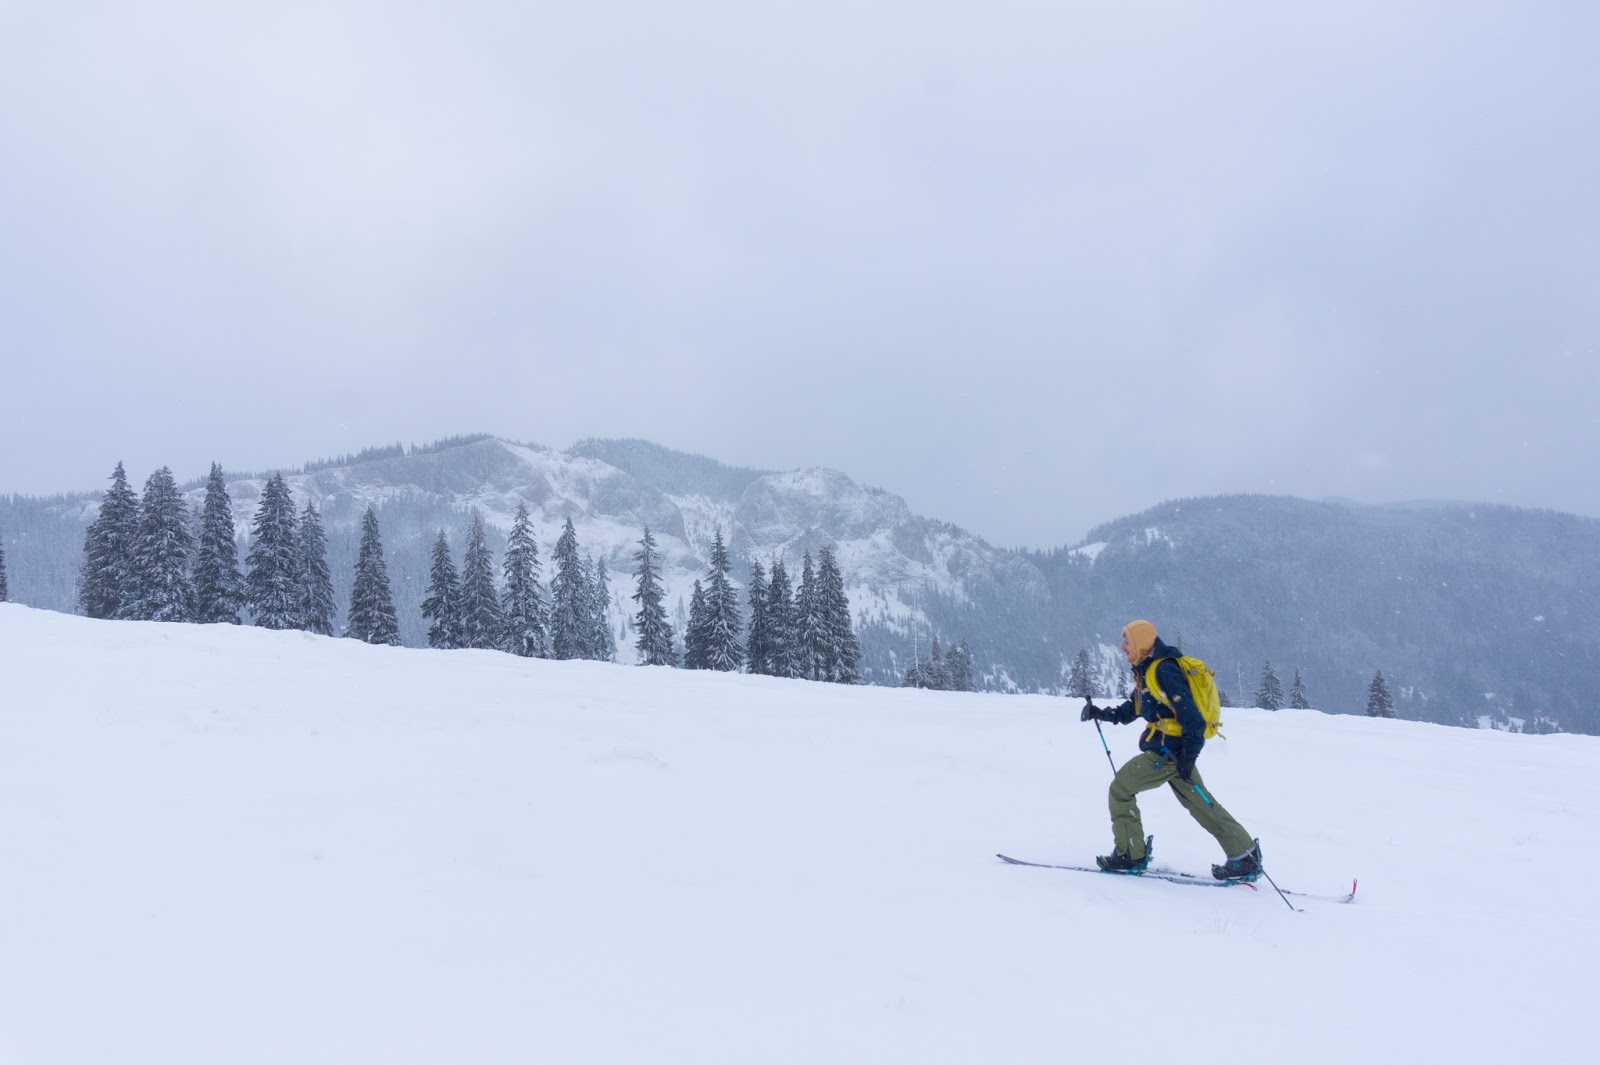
1478	615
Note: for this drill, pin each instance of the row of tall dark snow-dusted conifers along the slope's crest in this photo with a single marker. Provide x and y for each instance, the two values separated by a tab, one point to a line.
154	559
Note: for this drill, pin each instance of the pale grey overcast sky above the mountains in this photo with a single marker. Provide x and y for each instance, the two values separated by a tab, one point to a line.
1033	266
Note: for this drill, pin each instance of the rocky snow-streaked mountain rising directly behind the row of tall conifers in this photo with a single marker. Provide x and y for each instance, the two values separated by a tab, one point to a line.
897	564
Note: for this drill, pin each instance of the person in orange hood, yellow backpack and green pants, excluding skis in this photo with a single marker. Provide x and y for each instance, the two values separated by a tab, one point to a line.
1167	756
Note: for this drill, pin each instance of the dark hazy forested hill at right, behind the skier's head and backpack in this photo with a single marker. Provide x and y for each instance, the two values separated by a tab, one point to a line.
1470	610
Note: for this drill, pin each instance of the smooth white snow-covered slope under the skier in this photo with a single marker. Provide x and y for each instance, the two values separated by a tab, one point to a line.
230	847
